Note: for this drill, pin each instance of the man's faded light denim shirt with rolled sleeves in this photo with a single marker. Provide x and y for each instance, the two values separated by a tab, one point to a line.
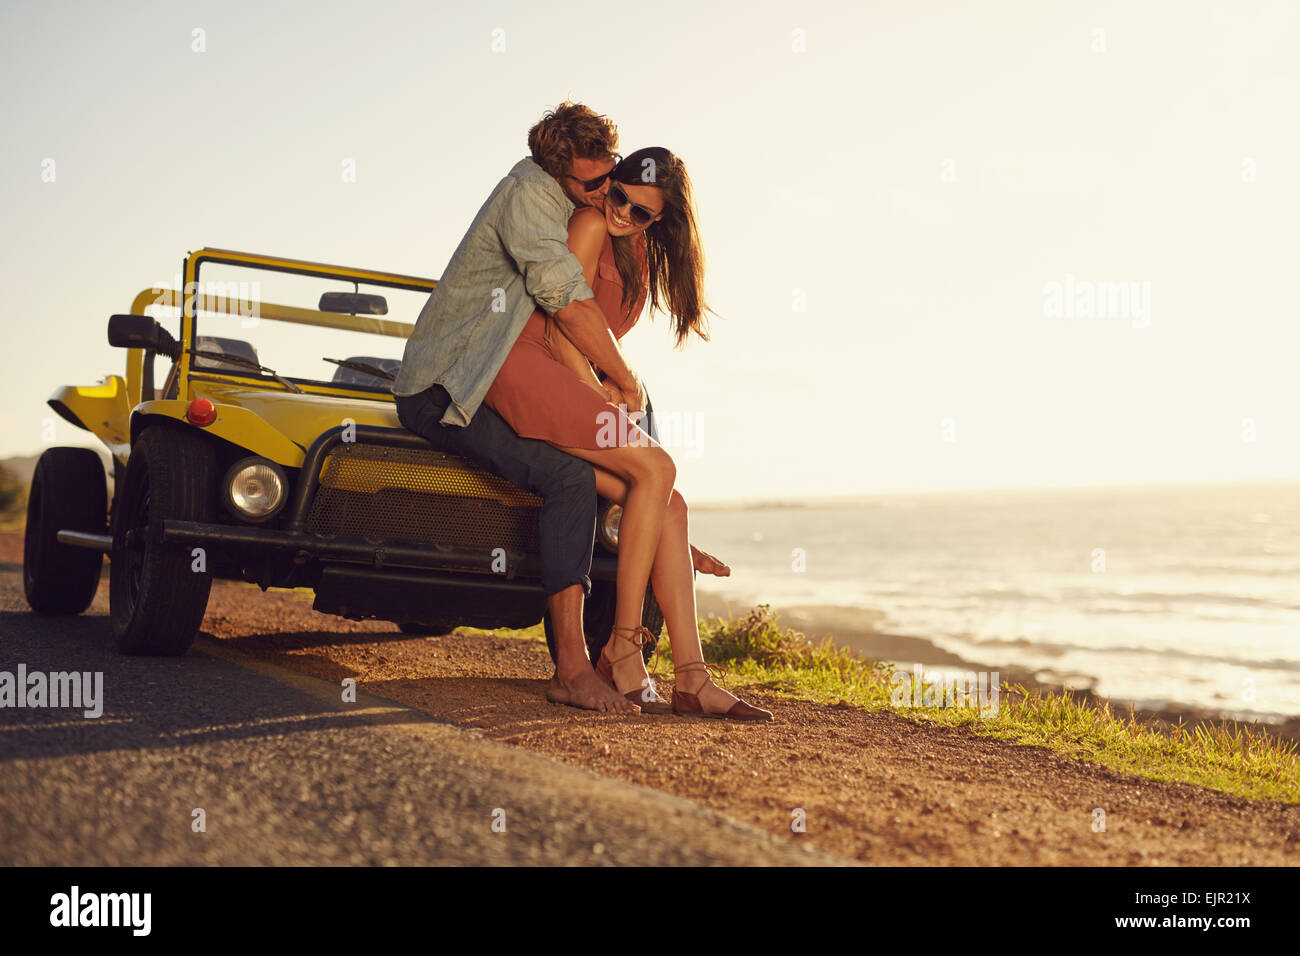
514	259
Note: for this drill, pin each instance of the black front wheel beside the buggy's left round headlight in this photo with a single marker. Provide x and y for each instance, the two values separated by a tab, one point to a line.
157	599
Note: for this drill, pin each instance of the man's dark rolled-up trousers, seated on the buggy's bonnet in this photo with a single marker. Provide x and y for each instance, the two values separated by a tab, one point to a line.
566	485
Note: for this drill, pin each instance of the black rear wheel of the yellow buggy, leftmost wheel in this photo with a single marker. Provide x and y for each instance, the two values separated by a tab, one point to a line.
68	492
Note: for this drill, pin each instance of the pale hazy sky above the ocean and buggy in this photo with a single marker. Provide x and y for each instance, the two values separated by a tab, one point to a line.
907	210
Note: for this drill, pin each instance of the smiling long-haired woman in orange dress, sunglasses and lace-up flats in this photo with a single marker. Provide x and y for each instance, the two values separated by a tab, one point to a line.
643	245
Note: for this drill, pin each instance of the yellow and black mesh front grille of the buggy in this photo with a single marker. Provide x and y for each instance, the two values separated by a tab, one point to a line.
421	496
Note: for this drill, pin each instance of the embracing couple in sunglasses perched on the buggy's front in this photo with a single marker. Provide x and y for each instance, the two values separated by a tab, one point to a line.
502	369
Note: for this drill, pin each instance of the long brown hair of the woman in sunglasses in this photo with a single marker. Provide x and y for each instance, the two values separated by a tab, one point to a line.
671	261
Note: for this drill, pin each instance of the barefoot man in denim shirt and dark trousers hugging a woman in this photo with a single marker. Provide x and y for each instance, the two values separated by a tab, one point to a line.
514	259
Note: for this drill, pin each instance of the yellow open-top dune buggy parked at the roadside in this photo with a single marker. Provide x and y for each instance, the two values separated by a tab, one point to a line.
271	452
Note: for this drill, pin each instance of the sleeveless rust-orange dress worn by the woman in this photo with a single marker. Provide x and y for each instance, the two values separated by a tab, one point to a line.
543	399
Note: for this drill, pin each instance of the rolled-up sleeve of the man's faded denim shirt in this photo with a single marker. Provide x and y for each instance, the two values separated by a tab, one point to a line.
534	231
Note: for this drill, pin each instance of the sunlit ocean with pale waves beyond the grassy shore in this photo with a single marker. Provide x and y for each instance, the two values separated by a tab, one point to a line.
1182	595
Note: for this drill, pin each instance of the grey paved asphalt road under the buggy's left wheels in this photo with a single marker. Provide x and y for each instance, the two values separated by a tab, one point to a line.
287	773
